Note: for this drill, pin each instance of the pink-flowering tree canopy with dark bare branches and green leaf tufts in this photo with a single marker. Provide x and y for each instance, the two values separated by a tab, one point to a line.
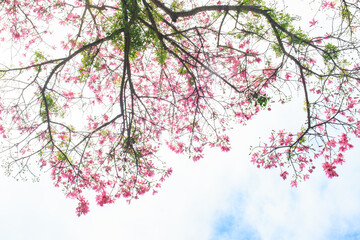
91	89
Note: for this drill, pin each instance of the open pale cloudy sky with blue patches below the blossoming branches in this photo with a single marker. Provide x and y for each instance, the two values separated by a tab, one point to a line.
220	197
